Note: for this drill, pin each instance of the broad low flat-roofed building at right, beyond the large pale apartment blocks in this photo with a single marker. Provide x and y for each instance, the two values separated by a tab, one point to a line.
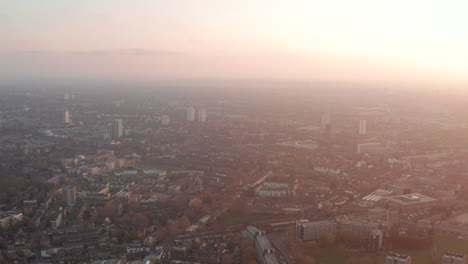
411	202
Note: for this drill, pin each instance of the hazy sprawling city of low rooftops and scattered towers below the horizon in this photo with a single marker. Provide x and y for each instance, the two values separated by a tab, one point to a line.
103	177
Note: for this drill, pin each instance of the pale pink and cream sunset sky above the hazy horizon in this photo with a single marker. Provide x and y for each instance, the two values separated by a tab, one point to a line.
400	41
